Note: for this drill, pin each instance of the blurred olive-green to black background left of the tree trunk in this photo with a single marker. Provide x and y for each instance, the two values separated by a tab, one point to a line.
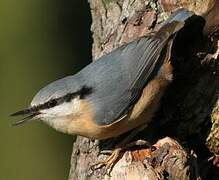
40	41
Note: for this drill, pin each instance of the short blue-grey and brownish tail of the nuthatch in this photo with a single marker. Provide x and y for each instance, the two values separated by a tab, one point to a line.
175	22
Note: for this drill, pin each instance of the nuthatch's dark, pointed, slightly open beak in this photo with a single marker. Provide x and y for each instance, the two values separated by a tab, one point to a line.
30	114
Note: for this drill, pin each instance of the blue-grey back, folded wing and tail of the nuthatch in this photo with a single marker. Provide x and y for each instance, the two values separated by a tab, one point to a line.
119	77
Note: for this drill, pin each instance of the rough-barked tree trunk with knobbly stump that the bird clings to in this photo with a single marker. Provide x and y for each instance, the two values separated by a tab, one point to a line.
189	113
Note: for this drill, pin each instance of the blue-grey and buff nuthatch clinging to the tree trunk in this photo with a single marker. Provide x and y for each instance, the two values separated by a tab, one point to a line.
114	94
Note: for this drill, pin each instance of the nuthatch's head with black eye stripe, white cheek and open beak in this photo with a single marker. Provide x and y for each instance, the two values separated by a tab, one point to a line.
56	103
